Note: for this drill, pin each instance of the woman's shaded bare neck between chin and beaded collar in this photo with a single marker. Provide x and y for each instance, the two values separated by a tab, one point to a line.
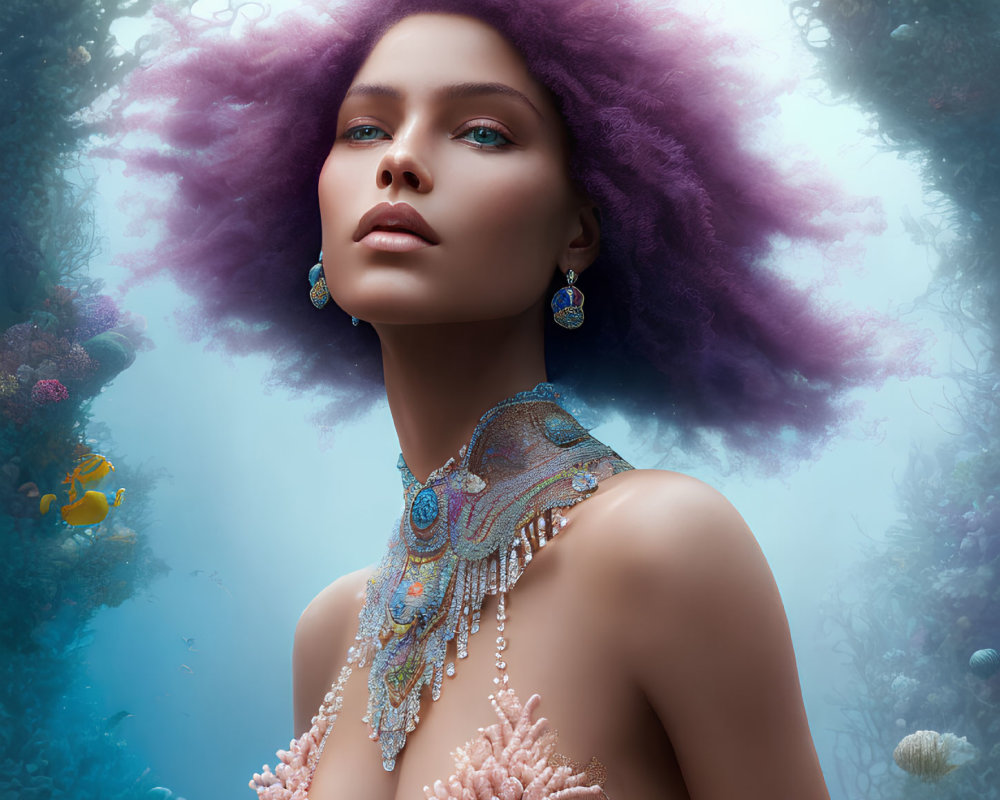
440	379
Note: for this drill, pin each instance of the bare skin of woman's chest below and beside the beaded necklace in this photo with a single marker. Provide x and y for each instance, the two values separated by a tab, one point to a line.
556	647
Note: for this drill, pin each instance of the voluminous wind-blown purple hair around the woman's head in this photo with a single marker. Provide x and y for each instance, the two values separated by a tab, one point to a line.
686	322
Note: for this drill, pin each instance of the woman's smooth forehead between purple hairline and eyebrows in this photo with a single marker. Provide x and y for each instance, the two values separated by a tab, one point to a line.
428	50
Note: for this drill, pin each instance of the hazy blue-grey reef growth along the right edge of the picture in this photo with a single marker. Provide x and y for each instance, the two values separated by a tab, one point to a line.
920	622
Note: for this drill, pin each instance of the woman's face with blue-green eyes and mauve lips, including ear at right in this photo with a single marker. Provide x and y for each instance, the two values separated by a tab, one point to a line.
444	121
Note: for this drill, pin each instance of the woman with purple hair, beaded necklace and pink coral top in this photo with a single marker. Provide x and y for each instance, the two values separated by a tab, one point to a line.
473	160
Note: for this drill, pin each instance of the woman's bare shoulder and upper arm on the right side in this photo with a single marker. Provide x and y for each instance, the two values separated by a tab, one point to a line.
685	578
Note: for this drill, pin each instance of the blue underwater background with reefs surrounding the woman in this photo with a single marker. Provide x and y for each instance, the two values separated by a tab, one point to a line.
148	654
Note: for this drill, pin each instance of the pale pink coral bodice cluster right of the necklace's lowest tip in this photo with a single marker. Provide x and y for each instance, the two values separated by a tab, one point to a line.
515	759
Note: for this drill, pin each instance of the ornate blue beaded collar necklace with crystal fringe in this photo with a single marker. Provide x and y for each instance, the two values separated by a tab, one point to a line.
469	531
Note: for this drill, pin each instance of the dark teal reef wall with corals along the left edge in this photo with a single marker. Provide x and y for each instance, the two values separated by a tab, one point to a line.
61	342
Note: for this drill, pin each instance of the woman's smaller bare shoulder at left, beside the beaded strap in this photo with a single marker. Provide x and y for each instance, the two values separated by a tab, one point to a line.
322	636
